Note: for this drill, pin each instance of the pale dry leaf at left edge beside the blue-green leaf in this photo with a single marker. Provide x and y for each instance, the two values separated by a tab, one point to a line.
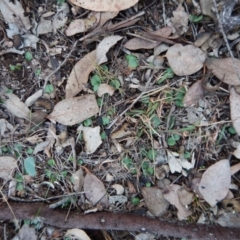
7	166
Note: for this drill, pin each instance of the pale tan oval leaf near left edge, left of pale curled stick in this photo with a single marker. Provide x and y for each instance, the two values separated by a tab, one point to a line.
15	106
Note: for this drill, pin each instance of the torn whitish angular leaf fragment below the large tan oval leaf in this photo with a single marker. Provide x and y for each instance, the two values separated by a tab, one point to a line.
91	137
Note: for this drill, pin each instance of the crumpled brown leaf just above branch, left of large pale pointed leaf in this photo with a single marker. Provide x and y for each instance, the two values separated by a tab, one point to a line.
170	193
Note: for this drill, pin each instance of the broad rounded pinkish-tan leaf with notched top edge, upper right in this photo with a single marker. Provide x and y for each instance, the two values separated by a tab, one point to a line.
185	60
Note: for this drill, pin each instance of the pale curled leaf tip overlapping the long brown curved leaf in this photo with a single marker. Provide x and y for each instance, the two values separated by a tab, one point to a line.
104	46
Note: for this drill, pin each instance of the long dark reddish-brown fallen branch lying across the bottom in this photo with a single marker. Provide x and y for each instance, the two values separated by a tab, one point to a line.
115	221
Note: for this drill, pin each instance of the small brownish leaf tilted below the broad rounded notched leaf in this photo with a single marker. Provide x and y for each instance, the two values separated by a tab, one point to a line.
194	93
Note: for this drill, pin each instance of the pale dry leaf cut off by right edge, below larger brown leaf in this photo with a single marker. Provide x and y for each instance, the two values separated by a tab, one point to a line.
235	109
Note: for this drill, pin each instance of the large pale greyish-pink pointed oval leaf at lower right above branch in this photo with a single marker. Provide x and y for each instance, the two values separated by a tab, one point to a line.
215	182
